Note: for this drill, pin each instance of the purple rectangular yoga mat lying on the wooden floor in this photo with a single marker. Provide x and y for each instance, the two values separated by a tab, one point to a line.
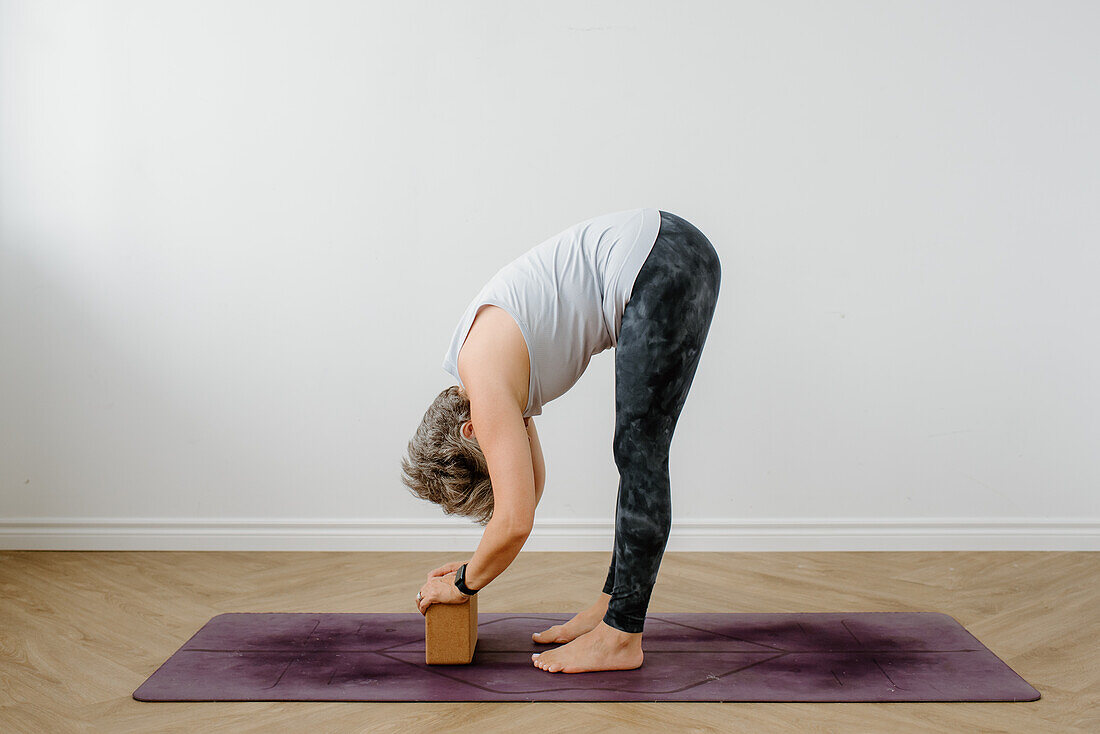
860	656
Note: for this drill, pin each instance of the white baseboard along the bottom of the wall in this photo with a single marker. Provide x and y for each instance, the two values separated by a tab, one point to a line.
557	535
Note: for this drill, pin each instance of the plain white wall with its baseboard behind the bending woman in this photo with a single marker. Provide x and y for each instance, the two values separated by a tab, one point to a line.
236	238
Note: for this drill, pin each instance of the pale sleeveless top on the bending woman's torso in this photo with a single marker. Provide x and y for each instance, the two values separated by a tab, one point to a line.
567	295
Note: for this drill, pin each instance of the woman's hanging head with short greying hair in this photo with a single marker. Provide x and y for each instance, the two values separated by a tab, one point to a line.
447	467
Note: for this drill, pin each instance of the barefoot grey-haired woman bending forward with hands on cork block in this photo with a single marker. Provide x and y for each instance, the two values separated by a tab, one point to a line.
643	281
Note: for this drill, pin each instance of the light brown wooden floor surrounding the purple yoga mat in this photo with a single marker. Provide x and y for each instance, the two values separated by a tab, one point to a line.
81	631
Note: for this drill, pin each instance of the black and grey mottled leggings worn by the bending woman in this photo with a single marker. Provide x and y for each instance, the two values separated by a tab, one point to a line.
665	325
